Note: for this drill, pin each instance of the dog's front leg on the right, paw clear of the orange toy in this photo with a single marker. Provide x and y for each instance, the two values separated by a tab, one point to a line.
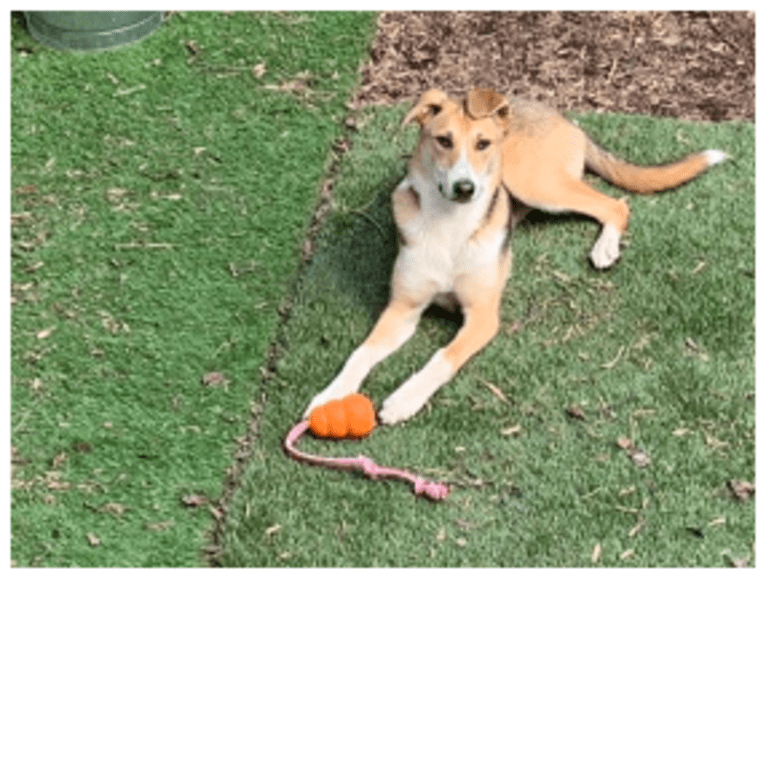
481	323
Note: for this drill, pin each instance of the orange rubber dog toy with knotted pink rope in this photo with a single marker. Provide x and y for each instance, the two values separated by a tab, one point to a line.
353	417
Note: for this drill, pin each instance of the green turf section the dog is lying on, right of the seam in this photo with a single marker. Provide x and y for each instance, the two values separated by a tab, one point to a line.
659	350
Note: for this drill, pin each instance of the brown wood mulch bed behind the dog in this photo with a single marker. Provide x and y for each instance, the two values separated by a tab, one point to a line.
695	65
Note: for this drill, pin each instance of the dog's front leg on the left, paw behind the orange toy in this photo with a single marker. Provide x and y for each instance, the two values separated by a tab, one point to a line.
395	327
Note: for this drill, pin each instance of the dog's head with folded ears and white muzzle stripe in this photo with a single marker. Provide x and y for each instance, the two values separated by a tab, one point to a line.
460	141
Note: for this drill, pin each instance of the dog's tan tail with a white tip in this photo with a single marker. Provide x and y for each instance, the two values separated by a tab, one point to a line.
647	179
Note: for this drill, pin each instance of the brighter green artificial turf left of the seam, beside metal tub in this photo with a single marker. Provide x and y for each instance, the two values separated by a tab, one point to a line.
161	193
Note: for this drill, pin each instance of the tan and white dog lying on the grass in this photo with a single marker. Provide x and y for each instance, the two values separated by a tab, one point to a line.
480	165
